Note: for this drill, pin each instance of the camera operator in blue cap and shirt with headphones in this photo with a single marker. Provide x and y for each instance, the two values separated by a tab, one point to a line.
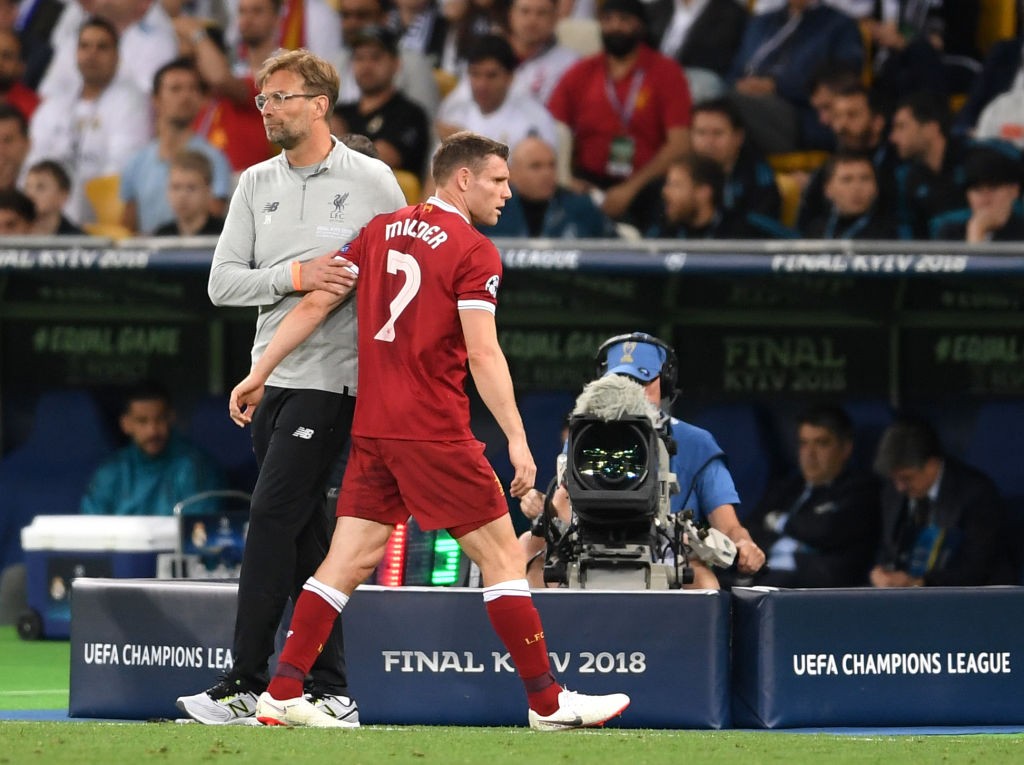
706	486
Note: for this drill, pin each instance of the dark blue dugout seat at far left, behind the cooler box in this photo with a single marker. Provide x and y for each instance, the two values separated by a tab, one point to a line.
50	473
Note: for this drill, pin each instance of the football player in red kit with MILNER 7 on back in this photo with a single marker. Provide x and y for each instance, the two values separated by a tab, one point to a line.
429	286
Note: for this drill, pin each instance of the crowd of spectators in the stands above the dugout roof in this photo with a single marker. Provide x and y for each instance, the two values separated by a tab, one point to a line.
697	119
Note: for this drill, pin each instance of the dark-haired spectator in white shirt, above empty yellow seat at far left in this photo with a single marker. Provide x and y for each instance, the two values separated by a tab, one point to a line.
93	129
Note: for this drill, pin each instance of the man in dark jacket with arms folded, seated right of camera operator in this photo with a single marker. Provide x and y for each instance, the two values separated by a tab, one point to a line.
820	527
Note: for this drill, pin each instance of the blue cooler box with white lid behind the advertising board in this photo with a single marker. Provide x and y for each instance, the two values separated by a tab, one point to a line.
60	548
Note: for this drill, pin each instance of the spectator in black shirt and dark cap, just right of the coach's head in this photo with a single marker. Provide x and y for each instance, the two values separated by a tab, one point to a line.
398	125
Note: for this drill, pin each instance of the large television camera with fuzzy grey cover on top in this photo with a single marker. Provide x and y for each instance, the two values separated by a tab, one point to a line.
623	535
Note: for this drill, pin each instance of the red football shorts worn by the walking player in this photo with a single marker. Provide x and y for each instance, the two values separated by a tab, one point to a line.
443	485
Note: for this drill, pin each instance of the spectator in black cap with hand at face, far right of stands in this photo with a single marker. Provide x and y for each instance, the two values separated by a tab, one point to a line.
994	195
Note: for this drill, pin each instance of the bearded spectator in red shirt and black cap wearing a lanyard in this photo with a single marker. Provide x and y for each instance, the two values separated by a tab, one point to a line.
629	111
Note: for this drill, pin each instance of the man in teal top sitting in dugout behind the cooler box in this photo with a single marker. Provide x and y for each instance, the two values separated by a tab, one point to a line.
158	470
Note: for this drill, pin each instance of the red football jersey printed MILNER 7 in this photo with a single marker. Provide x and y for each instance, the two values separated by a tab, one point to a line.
418	268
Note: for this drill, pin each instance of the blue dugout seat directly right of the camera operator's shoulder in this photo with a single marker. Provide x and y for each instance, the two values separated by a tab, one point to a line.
743	434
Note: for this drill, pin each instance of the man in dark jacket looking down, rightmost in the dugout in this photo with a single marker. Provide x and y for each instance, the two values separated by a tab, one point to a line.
944	523
